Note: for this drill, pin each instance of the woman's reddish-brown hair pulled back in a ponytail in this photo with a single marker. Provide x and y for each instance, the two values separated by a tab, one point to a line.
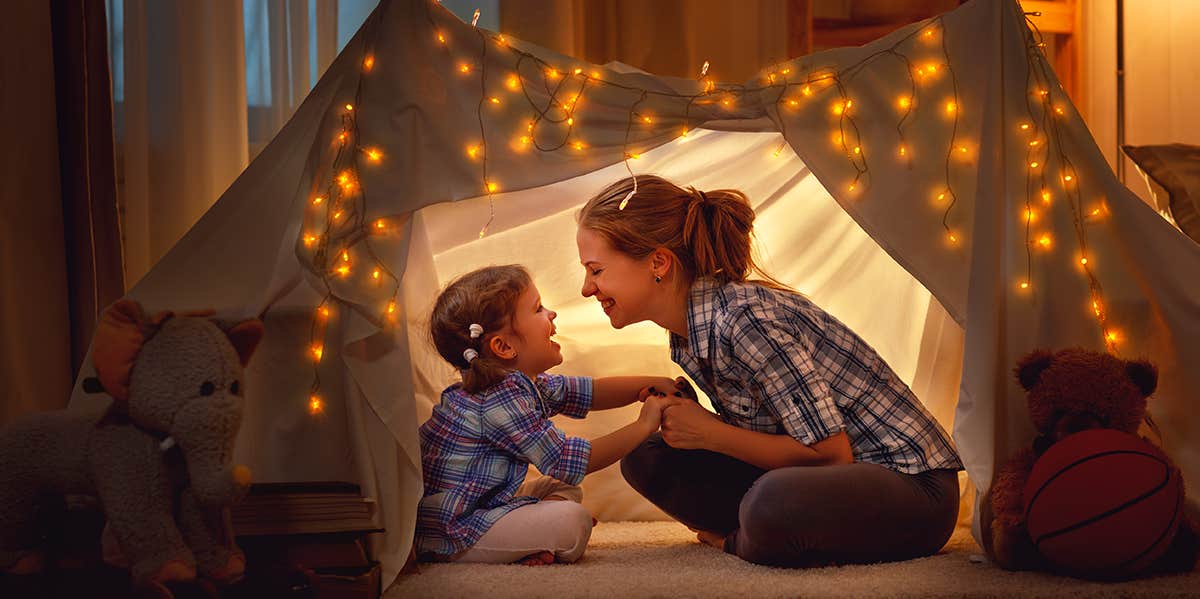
709	231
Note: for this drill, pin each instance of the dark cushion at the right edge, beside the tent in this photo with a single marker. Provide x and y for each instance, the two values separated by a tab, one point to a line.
1173	173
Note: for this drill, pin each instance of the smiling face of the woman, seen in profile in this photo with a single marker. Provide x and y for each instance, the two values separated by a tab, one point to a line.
623	285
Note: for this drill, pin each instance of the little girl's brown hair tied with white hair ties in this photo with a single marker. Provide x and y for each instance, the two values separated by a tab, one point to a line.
489	298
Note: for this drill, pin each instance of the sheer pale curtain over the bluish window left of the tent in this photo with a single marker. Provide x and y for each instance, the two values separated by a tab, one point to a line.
200	88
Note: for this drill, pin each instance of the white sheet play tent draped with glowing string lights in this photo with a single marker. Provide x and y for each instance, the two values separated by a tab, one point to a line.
860	227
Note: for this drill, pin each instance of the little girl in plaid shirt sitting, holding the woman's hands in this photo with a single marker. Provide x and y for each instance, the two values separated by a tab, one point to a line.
477	447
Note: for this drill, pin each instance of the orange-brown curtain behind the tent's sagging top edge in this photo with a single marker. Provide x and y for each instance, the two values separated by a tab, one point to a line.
667	38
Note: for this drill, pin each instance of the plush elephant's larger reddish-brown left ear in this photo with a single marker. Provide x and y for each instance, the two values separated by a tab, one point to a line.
119	338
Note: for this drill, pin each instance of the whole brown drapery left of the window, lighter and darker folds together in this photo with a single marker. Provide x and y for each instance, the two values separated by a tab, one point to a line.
61	259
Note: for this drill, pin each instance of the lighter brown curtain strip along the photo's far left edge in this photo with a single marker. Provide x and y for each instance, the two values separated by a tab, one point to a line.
35	345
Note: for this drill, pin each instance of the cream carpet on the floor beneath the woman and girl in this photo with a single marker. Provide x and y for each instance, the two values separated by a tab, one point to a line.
665	560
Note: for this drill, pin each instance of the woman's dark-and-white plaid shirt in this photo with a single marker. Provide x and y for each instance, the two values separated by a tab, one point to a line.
773	362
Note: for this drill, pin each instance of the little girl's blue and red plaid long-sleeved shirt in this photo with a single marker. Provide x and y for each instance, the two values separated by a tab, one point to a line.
476	451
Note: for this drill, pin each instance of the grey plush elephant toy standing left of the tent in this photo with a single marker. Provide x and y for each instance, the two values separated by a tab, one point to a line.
160	459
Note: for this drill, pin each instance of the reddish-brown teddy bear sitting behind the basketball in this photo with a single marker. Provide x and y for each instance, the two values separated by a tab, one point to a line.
1070	392
